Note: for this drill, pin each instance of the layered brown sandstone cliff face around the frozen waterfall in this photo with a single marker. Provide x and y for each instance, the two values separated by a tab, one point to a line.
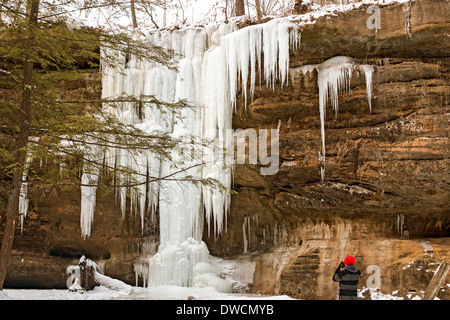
385	170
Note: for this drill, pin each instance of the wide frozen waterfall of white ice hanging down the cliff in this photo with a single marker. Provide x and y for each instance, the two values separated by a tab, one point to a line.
213	63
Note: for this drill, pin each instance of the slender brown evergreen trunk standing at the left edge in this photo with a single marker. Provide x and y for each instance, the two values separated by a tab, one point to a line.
12	210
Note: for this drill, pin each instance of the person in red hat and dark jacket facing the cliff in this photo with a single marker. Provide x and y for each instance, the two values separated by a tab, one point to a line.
348	277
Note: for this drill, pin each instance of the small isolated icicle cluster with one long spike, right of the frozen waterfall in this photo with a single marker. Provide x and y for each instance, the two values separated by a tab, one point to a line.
334	77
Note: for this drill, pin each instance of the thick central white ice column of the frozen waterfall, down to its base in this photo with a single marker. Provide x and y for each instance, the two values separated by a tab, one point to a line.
182	251
